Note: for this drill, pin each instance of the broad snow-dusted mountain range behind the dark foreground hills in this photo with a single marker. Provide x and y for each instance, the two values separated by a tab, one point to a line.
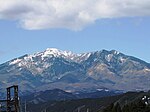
72	72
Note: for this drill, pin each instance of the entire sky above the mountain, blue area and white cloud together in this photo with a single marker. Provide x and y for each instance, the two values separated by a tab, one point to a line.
30	26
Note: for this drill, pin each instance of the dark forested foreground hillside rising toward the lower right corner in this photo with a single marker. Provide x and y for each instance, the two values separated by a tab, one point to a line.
127	102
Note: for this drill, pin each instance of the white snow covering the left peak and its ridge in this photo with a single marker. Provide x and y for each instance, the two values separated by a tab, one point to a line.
48	53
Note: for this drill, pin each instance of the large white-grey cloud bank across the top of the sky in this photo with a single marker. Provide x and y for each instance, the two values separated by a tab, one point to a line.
70	14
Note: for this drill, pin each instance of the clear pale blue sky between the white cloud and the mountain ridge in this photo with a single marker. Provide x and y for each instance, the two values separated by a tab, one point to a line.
127	35
